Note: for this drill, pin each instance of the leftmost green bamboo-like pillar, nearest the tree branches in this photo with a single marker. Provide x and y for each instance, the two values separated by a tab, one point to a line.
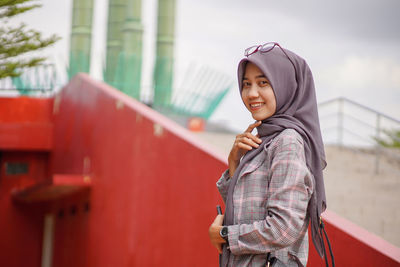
81	35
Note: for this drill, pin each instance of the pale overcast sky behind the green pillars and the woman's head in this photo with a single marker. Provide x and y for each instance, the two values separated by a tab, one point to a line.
352	47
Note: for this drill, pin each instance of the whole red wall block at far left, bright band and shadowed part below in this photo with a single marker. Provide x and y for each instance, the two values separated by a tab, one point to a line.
25	136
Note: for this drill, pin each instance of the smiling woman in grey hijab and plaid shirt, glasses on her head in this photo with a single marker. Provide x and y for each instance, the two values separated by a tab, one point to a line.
274	185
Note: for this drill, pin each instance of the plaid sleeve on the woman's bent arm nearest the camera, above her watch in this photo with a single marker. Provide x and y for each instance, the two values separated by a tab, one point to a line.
289	191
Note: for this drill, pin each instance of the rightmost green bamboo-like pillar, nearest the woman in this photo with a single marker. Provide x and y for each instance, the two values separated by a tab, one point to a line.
163	72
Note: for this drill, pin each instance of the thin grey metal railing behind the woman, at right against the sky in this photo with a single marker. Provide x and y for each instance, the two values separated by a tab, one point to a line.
356	125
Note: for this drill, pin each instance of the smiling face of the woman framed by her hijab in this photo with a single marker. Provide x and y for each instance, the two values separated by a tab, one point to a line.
257	93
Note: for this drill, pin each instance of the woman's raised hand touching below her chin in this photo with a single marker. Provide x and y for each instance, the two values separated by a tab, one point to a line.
243	143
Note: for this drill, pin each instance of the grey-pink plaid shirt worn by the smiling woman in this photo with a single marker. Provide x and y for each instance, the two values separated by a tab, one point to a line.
270	205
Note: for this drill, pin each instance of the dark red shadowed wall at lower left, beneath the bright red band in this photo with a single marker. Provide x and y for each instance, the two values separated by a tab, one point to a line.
20	226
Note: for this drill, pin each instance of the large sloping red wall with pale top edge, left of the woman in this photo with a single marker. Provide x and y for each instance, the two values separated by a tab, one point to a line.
153	188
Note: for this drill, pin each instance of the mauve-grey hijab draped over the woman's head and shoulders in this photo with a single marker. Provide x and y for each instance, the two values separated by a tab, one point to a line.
293	85
